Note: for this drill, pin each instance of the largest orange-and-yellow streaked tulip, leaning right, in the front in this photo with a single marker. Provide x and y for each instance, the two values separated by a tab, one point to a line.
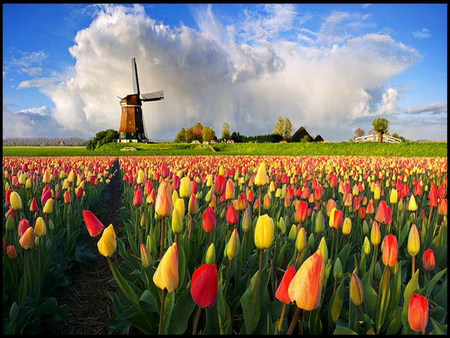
306	286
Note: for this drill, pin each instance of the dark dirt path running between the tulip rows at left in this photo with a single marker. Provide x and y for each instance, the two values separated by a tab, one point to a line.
87	294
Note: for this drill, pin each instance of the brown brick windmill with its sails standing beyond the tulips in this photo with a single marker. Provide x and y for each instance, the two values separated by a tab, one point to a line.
131	123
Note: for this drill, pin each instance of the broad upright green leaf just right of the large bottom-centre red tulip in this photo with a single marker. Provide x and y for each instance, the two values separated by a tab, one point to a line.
250	303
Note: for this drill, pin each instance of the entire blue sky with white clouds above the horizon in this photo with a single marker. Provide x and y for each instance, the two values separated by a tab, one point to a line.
329	67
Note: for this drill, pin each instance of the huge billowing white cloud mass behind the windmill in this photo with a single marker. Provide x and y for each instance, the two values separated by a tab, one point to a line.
221	74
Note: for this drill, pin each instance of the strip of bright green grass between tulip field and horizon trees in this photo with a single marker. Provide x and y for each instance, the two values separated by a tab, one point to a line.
431	149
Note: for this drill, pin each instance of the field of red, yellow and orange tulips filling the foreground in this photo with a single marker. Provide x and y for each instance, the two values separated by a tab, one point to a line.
232	244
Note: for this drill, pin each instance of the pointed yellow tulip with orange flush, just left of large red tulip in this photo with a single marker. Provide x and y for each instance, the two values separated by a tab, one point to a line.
166	274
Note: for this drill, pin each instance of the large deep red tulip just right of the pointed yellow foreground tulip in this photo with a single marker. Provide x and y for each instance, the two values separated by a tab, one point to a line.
204	285
